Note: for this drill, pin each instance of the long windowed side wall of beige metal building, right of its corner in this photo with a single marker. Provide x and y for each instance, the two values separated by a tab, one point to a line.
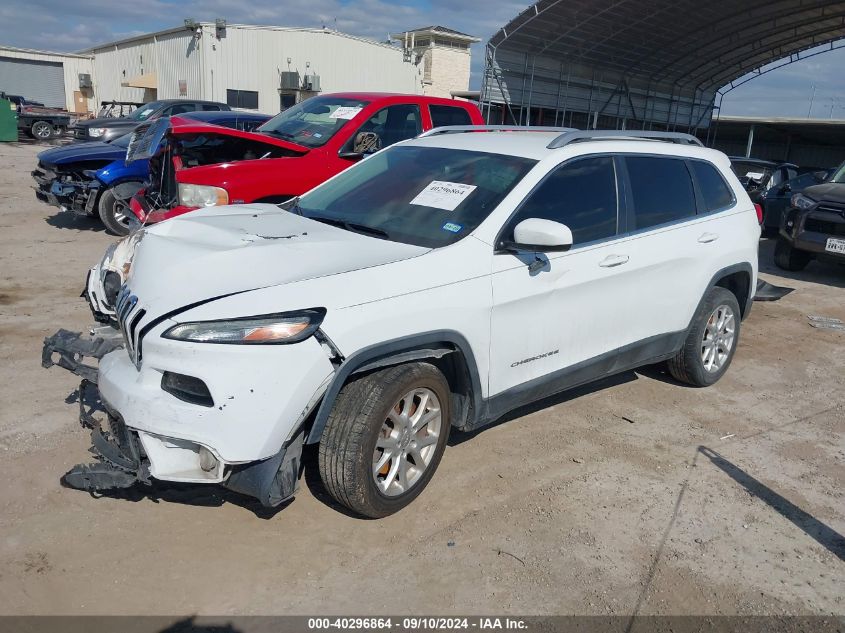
251	58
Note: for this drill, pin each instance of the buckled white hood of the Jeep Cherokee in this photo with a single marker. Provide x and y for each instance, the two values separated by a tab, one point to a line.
213	253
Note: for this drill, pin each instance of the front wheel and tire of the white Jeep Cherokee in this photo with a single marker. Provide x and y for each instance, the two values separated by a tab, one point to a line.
366	422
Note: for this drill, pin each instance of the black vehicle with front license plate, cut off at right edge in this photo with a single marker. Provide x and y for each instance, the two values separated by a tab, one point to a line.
814	224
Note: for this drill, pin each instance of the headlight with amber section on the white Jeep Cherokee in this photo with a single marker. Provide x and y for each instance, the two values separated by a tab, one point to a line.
269	329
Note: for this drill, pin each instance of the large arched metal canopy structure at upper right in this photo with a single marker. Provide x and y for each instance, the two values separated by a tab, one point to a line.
644	64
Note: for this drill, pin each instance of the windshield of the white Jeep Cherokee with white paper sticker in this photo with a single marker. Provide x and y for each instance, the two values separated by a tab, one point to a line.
426	196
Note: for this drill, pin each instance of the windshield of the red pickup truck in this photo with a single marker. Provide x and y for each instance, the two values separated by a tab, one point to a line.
314	121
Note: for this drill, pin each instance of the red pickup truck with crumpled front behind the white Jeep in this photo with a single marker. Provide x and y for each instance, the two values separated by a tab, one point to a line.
201	165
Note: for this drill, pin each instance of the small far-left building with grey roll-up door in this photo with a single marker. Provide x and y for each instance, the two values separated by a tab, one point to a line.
58	80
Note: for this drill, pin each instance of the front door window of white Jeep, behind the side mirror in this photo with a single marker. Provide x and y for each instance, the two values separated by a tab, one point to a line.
580	194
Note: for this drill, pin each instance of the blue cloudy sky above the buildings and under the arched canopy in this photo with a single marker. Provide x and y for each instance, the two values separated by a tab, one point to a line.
59	25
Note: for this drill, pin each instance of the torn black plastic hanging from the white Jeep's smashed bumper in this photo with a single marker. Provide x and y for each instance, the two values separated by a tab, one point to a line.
120	459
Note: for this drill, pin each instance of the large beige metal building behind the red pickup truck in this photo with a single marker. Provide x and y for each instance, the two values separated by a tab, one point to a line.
263	68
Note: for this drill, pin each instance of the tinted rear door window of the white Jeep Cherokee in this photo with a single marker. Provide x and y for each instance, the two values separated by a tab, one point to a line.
661	190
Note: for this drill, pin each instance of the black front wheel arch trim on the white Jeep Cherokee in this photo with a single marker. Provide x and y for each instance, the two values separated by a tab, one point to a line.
428	345
